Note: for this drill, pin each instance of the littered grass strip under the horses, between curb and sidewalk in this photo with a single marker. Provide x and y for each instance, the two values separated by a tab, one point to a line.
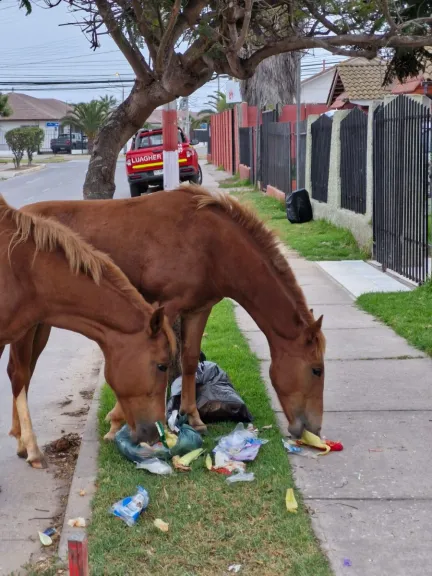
212	524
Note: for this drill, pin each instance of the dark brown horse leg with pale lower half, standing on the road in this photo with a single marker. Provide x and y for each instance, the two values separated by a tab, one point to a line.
22	361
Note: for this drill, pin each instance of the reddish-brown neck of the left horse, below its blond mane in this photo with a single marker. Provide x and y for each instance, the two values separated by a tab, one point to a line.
76	302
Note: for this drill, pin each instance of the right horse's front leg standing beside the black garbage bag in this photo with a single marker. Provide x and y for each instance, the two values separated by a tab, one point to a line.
193	326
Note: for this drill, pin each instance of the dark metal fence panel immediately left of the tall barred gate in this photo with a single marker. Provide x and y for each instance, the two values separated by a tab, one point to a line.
353	137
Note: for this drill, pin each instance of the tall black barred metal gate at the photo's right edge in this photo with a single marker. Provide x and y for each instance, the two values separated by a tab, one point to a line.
401	187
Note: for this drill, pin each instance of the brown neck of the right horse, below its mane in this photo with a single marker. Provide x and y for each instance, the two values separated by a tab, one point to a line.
278	309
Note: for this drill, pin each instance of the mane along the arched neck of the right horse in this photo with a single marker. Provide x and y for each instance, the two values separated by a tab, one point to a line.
267	241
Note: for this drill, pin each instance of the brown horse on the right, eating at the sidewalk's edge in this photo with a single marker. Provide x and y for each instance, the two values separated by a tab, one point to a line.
188	249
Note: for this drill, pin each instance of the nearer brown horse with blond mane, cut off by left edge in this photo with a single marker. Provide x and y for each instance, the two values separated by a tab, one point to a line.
49	275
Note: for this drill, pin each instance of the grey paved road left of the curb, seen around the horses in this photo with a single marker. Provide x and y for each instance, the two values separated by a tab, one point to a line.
68	366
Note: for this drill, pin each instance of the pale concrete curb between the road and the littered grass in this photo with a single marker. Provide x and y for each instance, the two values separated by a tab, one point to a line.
85	474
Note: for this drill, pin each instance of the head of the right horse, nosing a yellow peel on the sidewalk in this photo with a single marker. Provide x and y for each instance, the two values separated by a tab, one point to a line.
297	374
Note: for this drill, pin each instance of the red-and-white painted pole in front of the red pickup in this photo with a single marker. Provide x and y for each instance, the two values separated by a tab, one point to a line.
170	146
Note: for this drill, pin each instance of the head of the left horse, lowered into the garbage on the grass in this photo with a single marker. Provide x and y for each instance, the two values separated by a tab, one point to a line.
137	371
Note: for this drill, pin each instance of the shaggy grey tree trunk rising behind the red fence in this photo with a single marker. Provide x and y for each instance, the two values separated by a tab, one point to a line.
273	83
